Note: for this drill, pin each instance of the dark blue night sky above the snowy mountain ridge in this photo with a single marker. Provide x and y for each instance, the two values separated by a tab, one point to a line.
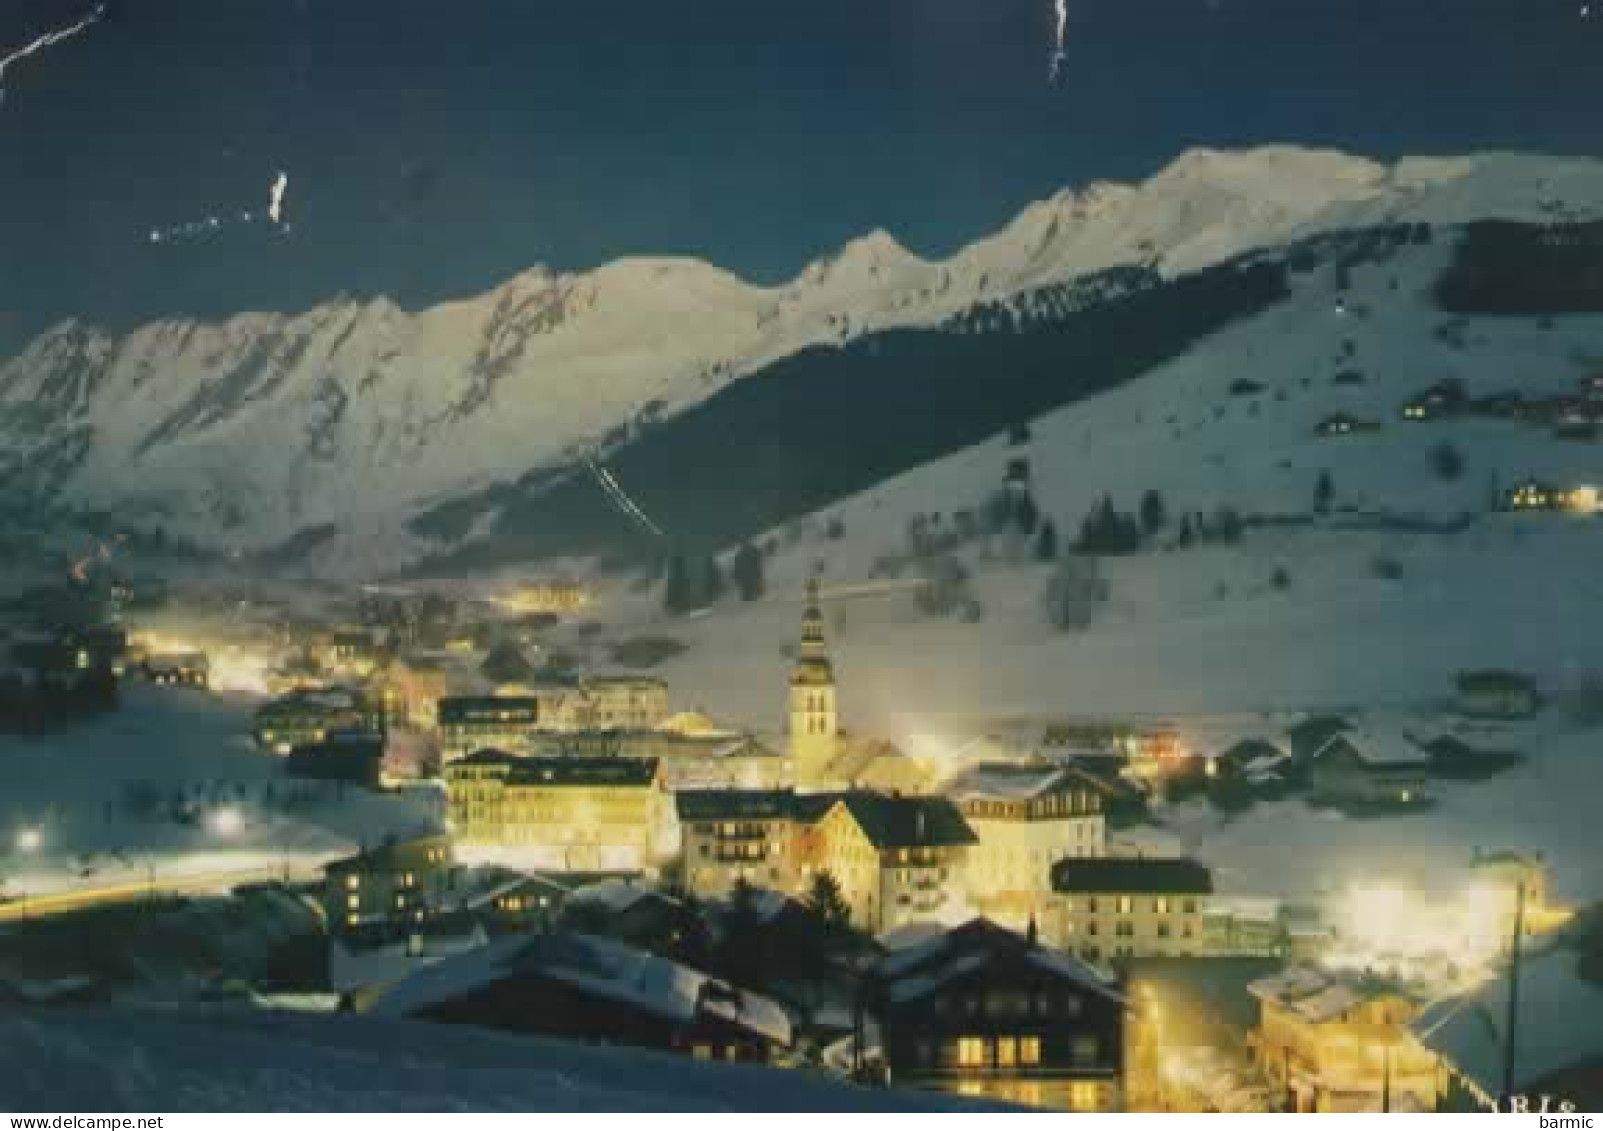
437	148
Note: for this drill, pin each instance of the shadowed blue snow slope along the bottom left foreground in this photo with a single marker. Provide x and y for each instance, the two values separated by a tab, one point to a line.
150	1061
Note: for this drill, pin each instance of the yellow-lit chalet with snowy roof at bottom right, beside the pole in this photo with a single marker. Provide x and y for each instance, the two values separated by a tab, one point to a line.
1343	1044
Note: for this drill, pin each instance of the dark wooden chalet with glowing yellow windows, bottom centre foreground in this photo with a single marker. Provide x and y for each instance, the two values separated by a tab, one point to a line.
985	1012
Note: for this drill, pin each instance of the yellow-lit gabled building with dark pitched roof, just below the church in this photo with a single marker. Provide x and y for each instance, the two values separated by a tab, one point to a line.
897	859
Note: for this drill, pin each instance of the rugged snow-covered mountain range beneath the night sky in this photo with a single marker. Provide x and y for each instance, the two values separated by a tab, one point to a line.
361	414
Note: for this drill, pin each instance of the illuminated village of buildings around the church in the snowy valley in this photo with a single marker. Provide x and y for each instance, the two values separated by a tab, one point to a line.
999	919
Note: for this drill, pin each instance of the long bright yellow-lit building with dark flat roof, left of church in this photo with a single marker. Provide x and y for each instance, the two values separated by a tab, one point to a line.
567	815
